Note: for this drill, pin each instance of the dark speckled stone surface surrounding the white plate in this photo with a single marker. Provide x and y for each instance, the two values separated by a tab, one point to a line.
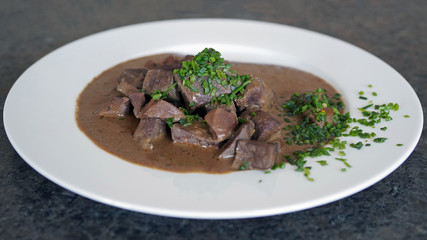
32	207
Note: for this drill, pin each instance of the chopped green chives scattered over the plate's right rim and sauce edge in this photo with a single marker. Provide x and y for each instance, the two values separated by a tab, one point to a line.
309	108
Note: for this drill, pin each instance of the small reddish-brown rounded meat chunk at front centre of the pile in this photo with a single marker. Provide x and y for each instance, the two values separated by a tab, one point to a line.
221	123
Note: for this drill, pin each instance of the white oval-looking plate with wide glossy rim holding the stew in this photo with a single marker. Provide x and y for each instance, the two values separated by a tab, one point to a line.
39	120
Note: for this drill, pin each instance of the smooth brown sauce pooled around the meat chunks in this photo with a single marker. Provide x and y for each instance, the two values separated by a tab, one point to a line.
116	135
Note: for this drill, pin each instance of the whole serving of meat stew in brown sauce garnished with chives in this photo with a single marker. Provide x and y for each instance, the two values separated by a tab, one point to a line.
202	113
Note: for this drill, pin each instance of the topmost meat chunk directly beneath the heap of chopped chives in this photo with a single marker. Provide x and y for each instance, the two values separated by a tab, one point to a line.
197	98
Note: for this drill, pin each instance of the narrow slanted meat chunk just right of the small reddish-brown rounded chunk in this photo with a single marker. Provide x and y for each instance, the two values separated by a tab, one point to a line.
244	131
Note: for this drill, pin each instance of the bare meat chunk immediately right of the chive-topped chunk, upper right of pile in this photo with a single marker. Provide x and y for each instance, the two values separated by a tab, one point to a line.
257	95
